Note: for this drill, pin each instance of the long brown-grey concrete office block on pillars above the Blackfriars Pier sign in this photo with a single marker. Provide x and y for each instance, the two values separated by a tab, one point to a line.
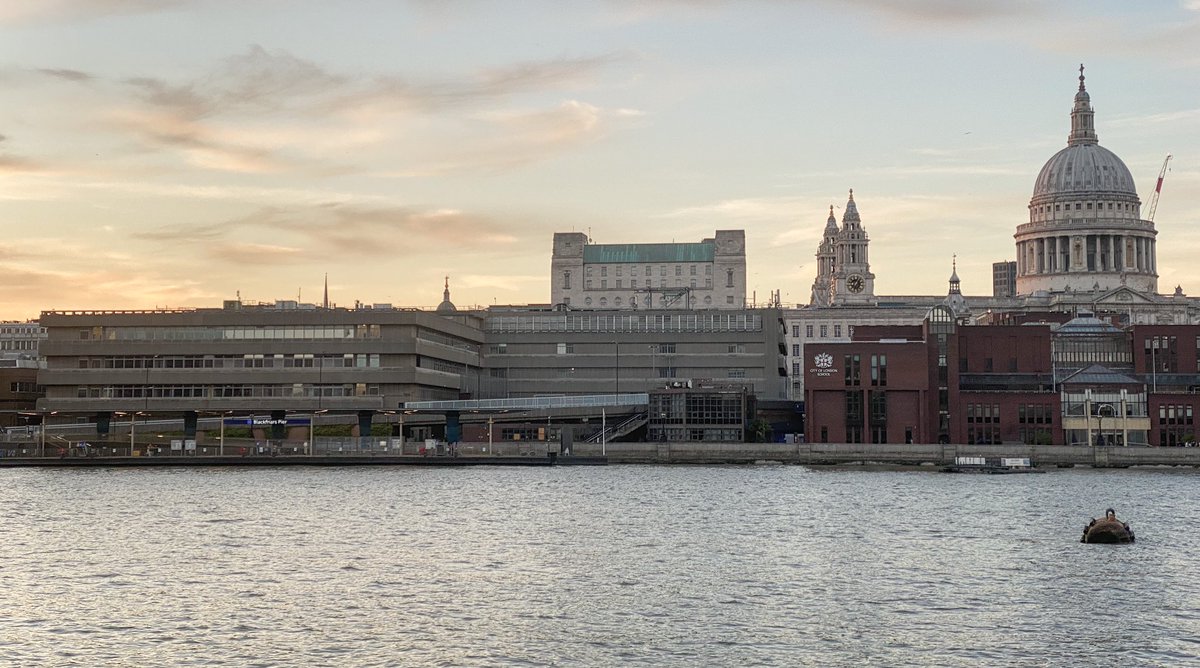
255	359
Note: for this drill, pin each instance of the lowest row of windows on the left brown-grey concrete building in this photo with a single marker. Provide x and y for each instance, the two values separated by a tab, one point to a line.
296	390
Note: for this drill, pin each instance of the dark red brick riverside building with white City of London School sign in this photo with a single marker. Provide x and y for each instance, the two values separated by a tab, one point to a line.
1085	382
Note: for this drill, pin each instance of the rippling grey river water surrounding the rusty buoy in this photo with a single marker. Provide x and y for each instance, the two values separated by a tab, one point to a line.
764	565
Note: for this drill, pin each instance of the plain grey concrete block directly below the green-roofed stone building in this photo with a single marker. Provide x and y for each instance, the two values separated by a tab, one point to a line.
547	352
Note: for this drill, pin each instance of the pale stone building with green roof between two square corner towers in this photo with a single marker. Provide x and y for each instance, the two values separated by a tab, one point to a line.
711	274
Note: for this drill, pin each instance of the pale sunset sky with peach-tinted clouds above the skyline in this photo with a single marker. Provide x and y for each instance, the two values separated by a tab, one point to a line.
161	154
